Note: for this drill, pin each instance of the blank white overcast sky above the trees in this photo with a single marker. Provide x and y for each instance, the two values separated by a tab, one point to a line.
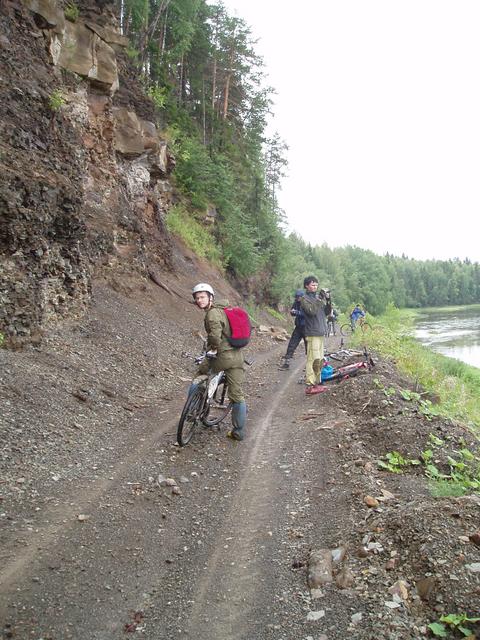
379	102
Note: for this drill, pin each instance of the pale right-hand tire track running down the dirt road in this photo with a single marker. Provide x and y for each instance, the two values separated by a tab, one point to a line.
232	589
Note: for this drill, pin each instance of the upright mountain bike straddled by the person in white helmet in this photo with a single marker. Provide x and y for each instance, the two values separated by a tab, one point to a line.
207	404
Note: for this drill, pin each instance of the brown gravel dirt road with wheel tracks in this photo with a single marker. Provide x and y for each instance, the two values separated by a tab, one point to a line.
213	560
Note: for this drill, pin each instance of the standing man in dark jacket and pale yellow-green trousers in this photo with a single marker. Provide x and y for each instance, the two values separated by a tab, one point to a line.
316	308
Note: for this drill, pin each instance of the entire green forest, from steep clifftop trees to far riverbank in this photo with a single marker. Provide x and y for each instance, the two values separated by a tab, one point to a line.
200	68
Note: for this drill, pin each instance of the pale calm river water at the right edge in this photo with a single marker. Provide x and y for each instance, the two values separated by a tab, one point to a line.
454	333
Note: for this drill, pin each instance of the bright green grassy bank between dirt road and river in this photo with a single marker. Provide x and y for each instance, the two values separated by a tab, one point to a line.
454	383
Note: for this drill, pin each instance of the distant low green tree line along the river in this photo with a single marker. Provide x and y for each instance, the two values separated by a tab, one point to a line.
358	275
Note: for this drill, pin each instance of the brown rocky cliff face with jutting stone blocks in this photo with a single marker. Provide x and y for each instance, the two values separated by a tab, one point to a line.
83	168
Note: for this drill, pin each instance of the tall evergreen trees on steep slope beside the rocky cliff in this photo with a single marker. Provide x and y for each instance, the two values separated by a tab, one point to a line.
200	68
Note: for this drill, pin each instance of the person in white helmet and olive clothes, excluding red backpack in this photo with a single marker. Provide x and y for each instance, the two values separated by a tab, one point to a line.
228	358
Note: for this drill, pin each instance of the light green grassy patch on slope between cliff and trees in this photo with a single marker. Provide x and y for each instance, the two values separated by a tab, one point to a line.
195	235
